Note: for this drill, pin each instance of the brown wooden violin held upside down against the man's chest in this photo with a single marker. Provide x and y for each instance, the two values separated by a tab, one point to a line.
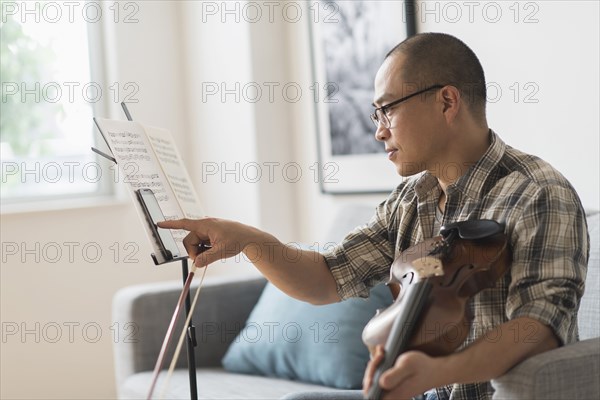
431	283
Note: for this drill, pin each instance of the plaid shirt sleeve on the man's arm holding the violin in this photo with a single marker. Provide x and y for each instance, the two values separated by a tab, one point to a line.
550	247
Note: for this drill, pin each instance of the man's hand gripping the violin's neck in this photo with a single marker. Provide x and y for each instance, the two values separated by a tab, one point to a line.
413	374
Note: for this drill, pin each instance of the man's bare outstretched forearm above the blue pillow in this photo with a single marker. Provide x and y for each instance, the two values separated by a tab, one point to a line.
302	274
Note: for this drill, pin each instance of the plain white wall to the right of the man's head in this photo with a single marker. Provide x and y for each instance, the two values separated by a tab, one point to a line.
550	54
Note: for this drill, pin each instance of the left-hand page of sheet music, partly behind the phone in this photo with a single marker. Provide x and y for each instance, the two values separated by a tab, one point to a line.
140	168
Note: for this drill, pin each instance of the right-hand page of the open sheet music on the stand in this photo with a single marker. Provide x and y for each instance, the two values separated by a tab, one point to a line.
165	149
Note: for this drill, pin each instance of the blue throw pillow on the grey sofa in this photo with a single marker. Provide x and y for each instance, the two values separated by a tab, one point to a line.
288	338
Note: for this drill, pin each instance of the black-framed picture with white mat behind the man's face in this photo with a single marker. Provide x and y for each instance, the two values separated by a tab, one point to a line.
349	41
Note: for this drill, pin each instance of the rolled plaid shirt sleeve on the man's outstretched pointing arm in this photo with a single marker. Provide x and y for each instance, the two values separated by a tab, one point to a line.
364	256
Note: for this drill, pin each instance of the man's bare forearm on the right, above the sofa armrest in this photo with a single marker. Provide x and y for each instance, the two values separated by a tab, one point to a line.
499	350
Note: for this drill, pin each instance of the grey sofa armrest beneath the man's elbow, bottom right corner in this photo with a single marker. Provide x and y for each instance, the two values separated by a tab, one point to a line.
569	372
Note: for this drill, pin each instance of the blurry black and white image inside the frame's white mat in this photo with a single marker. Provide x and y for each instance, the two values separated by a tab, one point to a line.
354	47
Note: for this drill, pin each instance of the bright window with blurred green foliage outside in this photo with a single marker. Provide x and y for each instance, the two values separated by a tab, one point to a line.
48	100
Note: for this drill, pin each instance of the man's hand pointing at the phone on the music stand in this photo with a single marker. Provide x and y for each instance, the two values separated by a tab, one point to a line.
226	238
